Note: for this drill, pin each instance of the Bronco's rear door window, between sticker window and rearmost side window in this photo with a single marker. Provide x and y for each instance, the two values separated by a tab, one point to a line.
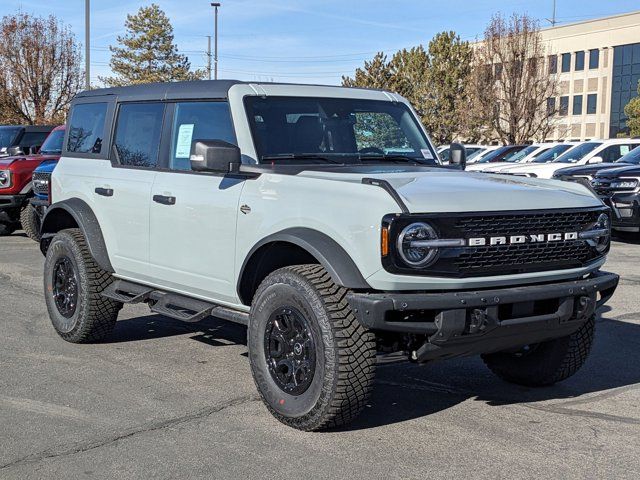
137	138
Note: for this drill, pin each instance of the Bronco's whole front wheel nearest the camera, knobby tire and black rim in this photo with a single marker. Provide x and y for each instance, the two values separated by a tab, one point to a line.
312	361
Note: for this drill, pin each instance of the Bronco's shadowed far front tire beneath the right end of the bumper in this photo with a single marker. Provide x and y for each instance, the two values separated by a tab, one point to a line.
548	362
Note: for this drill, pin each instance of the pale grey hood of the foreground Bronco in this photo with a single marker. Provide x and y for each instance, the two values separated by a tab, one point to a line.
439	190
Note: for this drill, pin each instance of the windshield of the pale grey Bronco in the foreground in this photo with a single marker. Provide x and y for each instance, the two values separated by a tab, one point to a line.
341	130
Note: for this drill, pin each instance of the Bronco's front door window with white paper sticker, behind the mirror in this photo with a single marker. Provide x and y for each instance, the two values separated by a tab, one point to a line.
198	121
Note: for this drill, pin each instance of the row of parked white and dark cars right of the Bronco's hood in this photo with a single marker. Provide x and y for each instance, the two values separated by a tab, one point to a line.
611	168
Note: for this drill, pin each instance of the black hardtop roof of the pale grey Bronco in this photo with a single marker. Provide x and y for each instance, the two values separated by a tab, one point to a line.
176	90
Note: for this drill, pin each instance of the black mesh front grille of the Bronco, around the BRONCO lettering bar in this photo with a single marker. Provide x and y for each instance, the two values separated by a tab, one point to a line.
512	258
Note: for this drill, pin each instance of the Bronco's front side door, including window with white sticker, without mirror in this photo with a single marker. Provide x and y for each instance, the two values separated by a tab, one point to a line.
193	215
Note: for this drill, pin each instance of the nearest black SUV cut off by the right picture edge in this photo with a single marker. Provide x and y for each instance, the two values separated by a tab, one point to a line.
620	189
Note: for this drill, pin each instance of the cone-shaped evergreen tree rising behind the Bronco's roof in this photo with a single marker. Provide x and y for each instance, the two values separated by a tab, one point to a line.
147	52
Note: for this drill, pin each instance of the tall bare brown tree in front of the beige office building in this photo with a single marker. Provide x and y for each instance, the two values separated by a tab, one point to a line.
511	83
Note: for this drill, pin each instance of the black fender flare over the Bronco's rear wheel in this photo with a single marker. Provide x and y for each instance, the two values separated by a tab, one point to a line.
56	219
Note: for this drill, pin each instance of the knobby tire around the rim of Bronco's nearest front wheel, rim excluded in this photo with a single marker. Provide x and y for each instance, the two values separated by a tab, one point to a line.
345	354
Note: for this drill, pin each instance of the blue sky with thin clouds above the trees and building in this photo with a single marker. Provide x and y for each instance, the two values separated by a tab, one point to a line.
310	41
